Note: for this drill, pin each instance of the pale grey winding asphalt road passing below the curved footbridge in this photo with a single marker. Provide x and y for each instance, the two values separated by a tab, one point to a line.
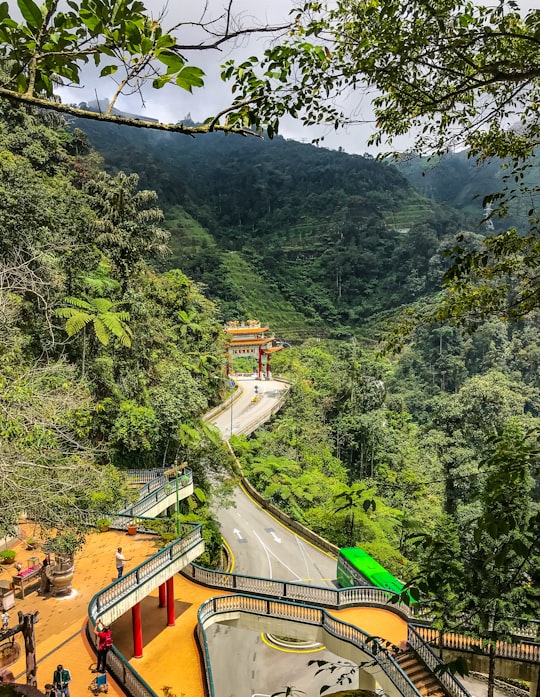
245	662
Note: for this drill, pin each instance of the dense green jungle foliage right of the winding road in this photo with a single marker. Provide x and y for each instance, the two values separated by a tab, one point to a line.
426	462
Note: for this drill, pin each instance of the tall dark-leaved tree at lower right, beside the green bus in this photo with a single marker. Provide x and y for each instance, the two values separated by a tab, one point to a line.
498	548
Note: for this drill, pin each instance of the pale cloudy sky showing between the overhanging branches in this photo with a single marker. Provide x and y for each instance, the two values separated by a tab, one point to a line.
172	104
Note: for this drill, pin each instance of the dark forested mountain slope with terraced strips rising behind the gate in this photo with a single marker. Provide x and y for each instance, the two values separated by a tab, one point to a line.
335	238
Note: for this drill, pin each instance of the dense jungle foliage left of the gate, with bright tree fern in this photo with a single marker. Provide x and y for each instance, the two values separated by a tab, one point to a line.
105	363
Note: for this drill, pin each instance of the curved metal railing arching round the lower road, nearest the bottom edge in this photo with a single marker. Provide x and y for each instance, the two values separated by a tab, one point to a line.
303	614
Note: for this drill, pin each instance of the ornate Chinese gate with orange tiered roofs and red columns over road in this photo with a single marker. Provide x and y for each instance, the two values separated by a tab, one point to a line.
251	339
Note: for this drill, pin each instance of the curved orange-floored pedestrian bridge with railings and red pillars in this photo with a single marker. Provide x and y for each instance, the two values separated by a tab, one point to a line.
345	620
